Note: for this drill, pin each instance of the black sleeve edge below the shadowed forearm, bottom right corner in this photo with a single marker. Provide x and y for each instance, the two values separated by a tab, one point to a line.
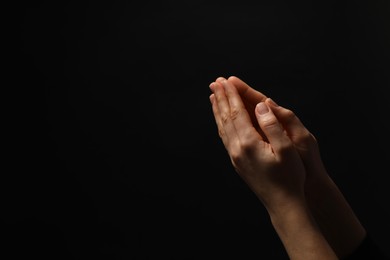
368	250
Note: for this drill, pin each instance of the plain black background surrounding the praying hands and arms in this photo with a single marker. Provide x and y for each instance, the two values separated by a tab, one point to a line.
118	152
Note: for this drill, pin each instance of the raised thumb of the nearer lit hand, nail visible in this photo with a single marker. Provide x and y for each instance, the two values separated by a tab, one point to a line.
272	128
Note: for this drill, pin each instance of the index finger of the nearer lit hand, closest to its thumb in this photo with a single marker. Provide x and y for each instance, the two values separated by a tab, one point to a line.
239	115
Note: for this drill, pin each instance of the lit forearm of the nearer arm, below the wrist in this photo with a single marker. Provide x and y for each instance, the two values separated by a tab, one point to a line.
299	233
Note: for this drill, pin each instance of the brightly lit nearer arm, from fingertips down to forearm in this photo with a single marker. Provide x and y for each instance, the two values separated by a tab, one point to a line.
272	169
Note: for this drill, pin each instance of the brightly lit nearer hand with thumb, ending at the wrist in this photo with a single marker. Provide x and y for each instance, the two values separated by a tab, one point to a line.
272	168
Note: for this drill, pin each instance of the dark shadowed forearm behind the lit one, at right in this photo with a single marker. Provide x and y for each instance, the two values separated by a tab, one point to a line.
334	216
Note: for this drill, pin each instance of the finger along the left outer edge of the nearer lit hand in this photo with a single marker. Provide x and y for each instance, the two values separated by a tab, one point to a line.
226	129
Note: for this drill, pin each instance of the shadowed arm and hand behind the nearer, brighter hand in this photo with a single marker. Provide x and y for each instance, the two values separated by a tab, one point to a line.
327	204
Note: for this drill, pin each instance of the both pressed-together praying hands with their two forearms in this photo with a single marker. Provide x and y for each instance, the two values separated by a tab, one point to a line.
280	161
